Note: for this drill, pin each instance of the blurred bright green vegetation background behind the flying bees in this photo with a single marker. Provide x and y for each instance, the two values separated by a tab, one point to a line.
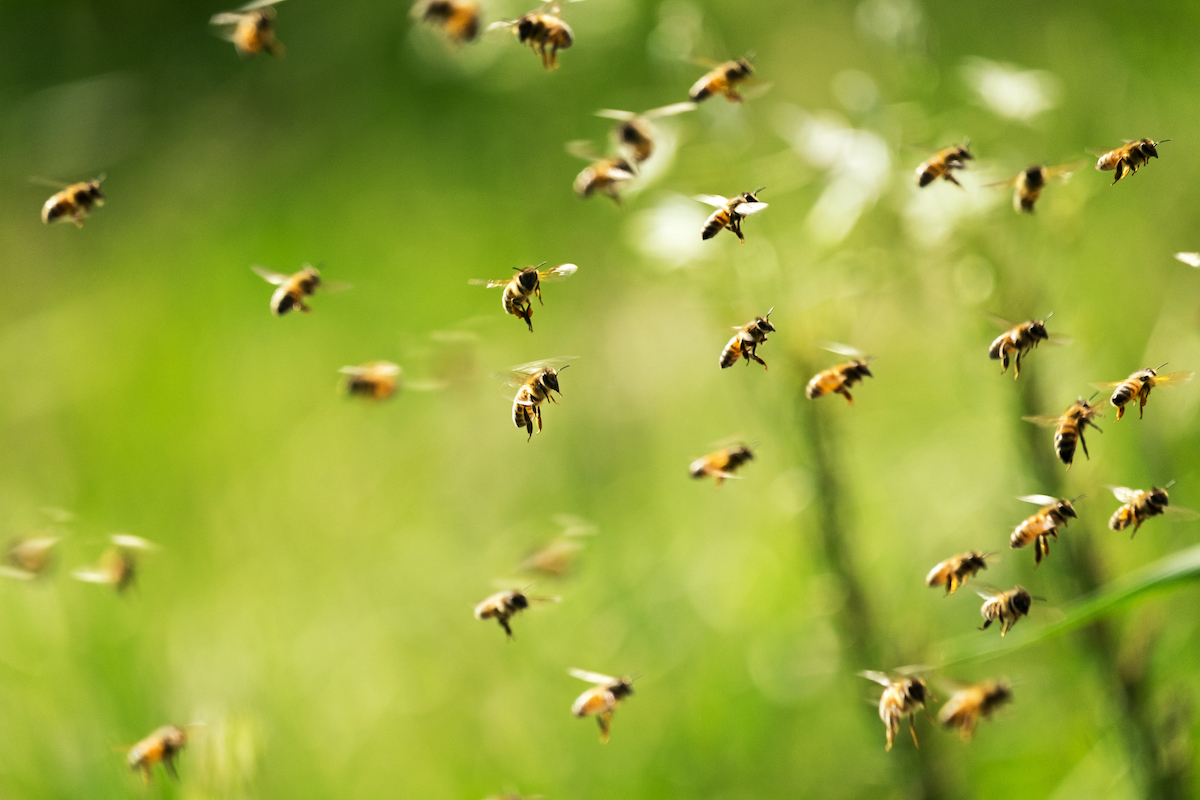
320	558
